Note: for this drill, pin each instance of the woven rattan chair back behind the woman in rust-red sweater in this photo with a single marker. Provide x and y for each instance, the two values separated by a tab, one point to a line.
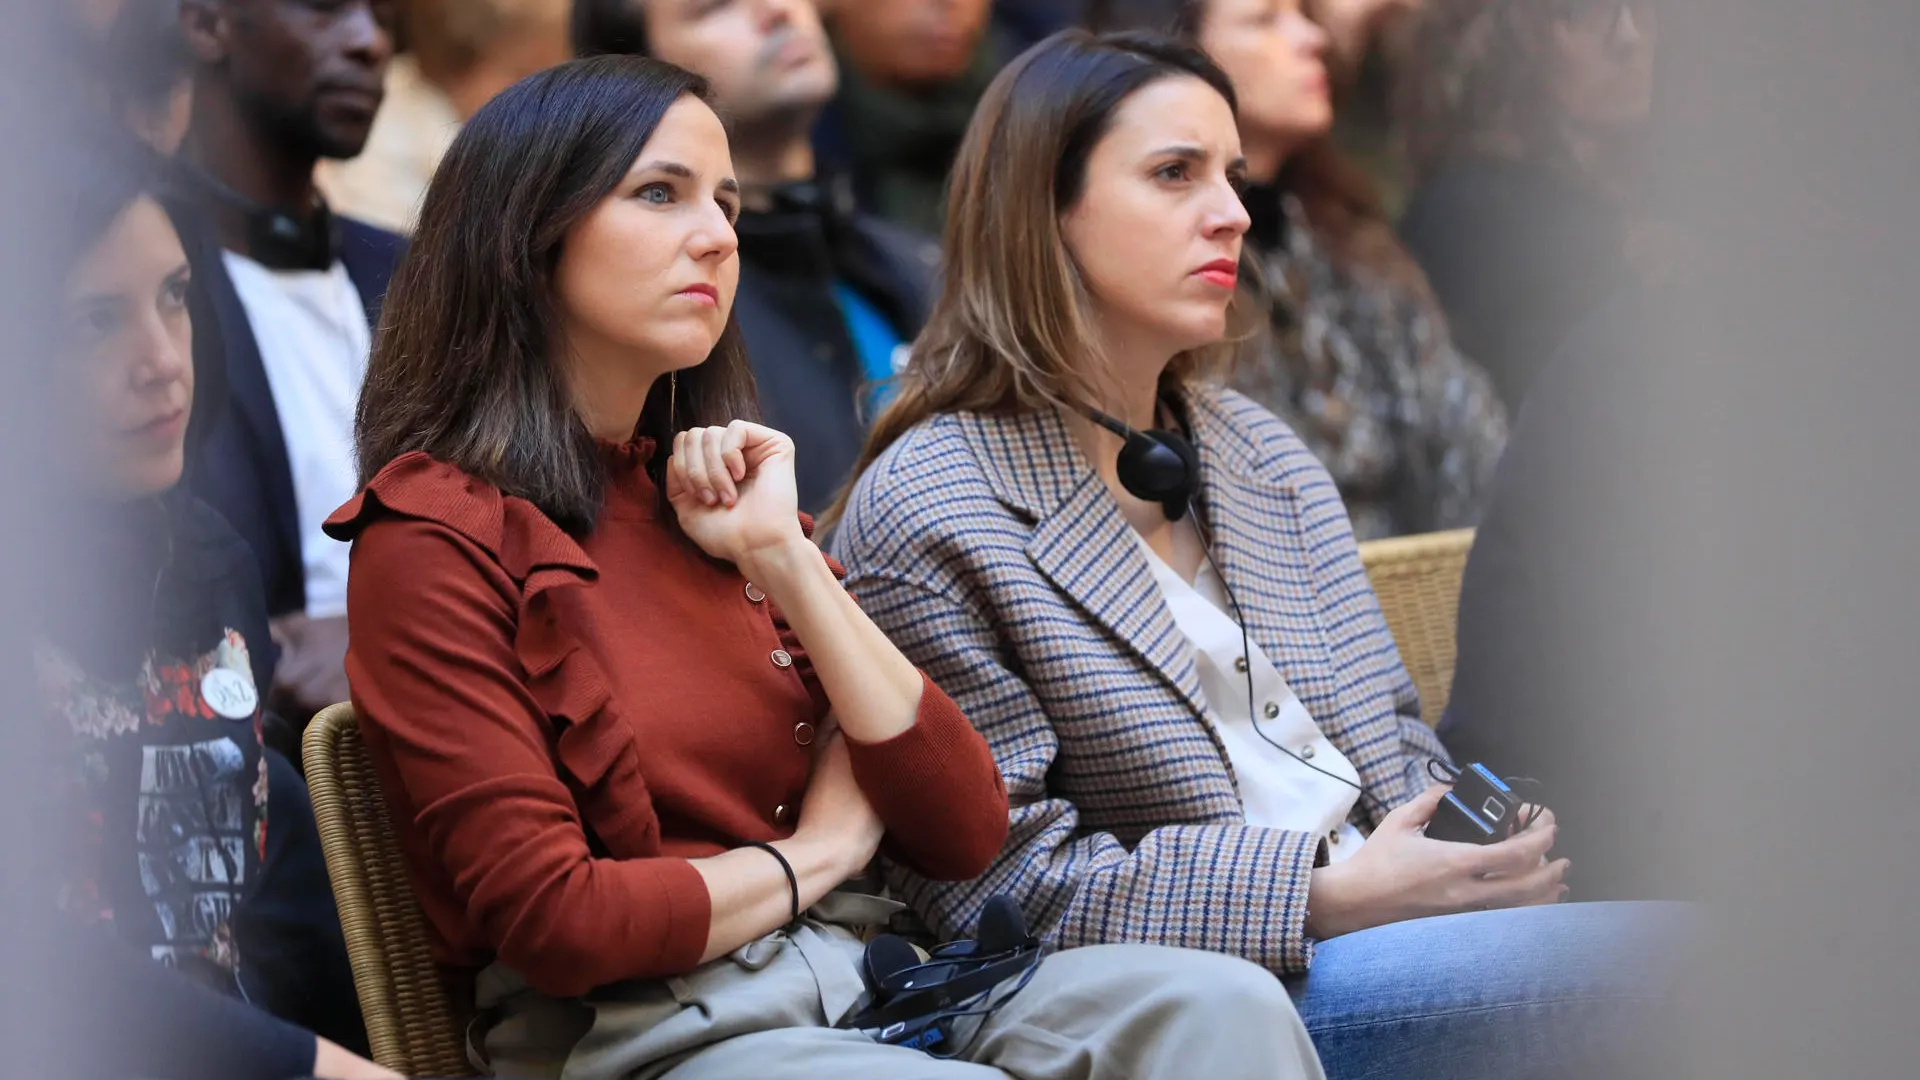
414	1021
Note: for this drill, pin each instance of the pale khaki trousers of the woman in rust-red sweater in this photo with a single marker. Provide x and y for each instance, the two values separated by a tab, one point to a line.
767	1014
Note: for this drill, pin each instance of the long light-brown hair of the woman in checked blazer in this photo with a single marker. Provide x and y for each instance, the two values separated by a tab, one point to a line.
1013	328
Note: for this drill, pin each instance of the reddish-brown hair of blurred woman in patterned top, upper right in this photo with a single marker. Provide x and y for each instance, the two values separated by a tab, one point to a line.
1341	203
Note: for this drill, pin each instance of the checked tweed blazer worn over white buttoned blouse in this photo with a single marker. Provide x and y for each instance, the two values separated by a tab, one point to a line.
996	558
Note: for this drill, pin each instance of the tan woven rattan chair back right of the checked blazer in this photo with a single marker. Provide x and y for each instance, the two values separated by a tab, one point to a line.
1418	583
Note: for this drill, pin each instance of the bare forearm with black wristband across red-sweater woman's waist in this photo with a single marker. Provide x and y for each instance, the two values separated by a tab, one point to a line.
752	895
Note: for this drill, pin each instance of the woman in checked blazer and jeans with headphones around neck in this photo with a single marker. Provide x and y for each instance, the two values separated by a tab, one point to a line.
1207	733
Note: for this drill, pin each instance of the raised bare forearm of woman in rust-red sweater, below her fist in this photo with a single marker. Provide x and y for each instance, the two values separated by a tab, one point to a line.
875	689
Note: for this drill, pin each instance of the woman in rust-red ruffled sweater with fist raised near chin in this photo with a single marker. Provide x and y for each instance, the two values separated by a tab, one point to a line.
635	733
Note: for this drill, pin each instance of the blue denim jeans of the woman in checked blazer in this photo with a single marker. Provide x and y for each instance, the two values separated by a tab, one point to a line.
1570	991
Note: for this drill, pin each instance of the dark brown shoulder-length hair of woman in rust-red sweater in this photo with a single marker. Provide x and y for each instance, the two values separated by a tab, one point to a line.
468	364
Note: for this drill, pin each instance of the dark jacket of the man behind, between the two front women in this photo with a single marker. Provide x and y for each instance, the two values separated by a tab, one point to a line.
804	355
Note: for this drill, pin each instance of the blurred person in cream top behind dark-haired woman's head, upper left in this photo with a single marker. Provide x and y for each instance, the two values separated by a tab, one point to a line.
458	55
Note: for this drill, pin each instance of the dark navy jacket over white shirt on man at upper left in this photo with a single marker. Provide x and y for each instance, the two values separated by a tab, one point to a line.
241	464
